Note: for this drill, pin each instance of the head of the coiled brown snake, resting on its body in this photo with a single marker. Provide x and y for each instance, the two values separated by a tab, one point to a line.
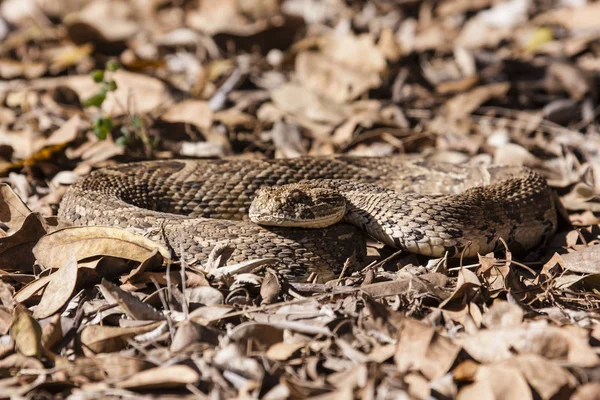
299	205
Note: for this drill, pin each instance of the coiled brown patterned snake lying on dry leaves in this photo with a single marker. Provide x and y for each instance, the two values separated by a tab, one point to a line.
411	203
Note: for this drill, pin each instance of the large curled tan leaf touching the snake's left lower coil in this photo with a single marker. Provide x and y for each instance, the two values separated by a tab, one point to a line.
52	250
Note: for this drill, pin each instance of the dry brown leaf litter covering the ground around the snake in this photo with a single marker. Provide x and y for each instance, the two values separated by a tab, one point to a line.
99	312
